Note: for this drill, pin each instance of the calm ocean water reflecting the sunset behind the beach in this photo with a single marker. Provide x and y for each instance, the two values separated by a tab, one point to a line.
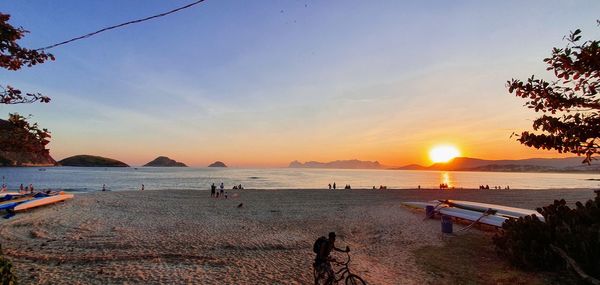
117	179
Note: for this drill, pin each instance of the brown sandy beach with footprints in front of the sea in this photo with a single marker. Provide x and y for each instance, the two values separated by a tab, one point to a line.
186	237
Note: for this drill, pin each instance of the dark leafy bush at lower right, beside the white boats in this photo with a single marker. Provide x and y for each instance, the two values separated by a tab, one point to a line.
527	242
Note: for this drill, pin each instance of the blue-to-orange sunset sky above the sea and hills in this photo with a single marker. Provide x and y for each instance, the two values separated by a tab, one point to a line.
262	83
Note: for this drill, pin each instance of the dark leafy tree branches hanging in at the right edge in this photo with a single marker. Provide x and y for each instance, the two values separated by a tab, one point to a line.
570	104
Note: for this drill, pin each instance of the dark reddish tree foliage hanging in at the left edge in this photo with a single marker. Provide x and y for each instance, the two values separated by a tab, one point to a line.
19	135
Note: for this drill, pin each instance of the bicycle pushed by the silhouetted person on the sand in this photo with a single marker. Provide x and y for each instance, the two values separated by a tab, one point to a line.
325	275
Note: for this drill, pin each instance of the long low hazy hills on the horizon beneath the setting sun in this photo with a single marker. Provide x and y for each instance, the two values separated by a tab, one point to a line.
570	164
